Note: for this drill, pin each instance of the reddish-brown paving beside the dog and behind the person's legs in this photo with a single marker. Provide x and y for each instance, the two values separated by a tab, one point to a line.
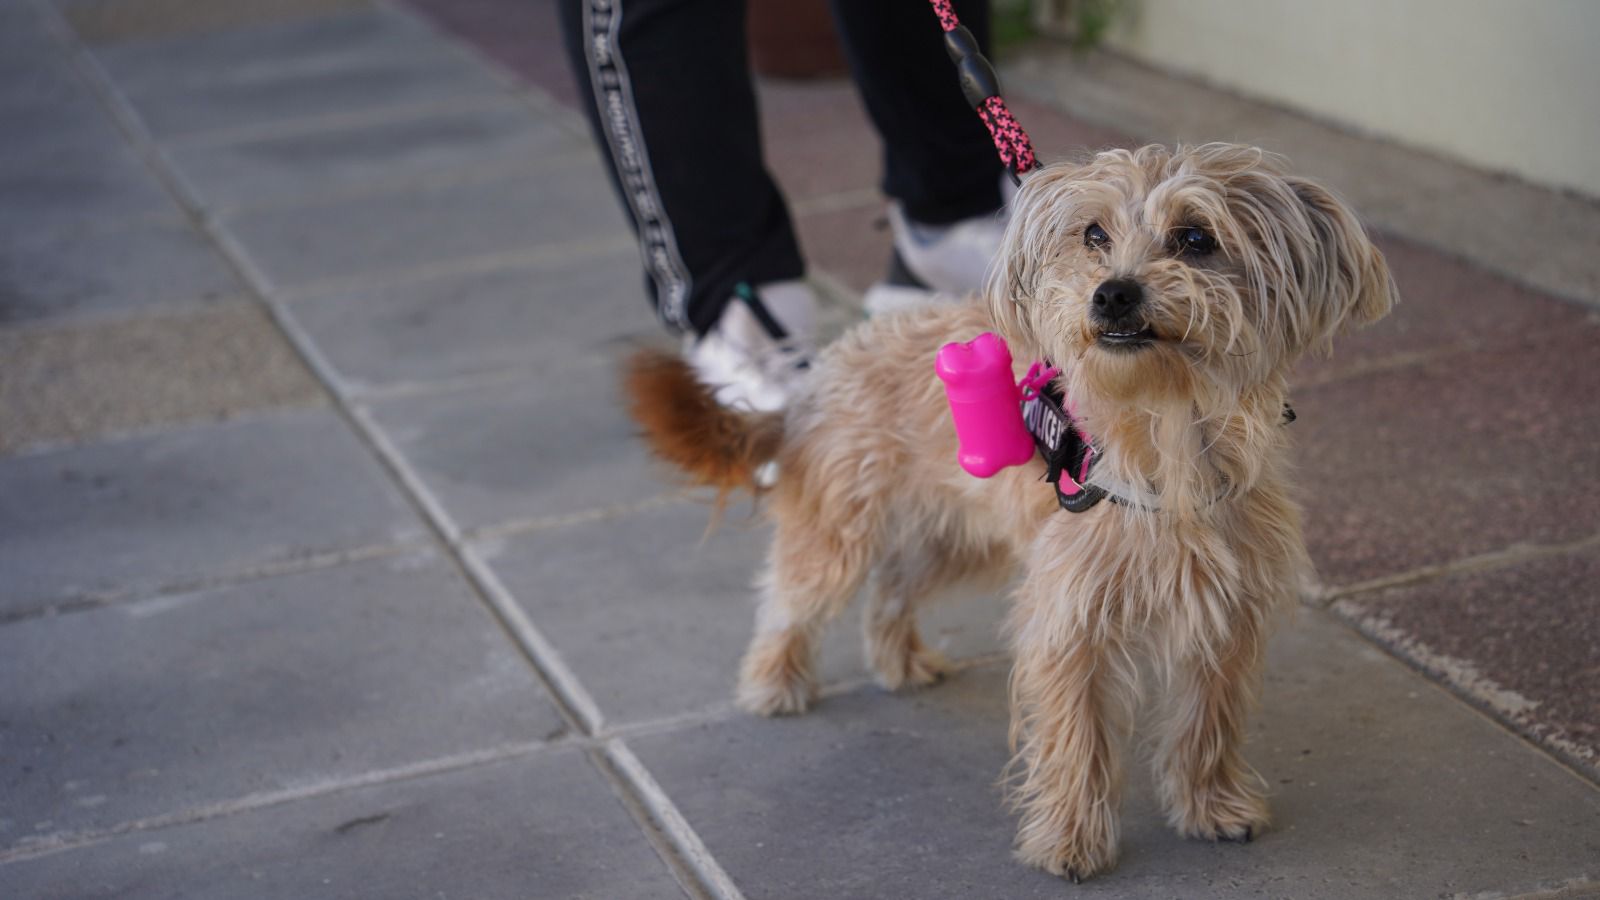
1465	424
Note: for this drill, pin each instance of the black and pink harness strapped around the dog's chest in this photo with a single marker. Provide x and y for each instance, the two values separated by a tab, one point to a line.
1071	456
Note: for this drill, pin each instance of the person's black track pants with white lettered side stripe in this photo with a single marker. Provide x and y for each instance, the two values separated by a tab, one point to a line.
668	90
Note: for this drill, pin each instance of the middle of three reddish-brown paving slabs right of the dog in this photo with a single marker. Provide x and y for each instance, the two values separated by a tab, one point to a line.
1452	457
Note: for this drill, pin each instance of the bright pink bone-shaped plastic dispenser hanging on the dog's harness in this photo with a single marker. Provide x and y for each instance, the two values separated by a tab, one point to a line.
986	404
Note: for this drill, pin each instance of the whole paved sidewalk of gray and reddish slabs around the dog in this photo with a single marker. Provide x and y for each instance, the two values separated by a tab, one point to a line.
330	569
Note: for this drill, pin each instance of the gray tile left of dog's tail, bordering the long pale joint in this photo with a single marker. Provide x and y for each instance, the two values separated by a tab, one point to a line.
529	449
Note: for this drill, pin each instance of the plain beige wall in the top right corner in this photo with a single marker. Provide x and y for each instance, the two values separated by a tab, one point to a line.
1513	86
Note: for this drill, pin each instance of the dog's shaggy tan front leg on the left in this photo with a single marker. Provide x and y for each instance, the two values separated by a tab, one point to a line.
1071	699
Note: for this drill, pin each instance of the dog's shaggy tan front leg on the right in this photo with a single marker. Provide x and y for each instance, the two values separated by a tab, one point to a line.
1207	787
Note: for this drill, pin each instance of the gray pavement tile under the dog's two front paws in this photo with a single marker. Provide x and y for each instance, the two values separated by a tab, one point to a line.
1383	787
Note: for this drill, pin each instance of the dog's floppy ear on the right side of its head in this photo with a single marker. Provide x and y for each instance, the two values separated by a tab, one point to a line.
1345	279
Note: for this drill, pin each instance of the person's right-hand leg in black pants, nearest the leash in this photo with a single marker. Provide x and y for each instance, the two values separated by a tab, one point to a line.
938	159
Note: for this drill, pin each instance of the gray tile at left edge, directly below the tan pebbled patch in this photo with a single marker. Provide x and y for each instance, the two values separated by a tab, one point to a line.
188	504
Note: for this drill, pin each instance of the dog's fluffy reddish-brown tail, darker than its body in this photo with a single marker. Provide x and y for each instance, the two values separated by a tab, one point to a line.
687	427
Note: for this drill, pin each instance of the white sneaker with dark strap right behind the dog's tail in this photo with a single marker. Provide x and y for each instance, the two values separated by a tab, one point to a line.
758	353
